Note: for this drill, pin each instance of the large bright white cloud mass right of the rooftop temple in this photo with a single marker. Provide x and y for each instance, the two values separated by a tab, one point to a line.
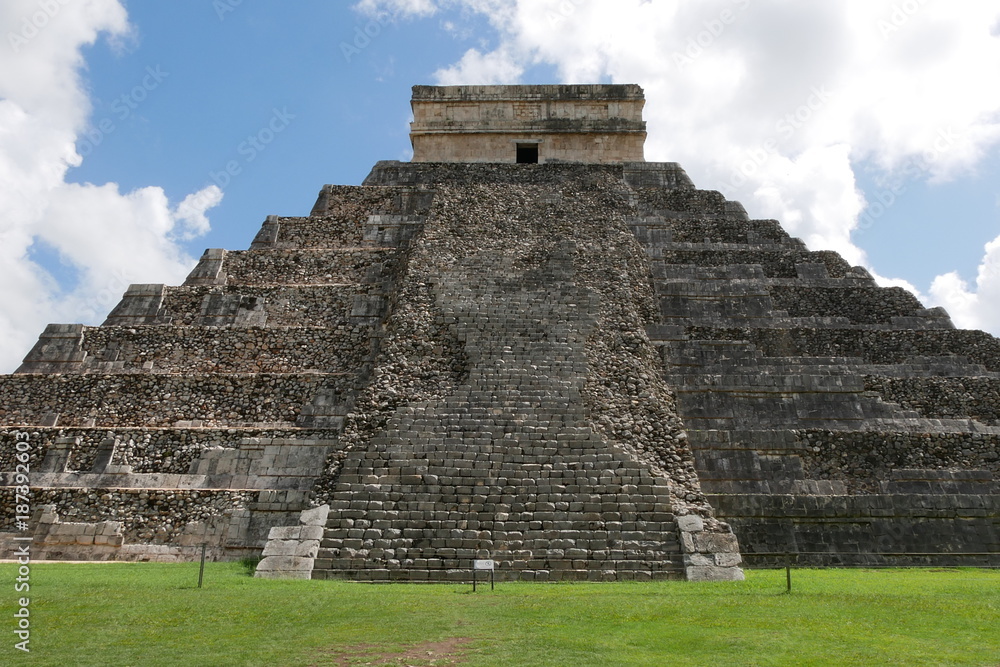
777	103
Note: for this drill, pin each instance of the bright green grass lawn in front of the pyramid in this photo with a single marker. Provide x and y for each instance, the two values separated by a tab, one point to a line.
152	614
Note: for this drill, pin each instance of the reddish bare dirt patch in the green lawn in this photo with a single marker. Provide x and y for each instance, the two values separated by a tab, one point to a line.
427	654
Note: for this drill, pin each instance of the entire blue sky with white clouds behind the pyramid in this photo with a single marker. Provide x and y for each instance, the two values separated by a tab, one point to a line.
133	135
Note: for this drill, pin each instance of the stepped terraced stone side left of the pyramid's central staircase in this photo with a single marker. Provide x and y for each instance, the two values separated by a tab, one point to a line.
205	414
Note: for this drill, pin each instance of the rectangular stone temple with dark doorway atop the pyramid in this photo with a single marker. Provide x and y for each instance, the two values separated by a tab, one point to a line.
528	124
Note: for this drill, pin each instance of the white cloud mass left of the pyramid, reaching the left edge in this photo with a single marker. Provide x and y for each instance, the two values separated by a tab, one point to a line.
103	238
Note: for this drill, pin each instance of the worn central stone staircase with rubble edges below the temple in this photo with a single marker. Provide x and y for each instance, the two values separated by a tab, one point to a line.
538	430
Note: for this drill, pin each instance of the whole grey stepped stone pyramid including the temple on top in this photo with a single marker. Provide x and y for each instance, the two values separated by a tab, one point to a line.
527	345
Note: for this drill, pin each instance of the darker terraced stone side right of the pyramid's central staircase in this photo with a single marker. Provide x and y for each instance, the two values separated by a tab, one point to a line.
829	418
